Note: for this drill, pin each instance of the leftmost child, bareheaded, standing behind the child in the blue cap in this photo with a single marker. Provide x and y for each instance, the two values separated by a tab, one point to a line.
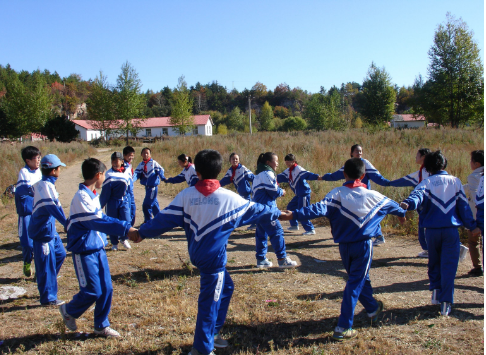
24	197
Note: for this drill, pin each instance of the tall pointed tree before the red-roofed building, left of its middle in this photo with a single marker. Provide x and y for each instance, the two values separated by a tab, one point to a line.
129	101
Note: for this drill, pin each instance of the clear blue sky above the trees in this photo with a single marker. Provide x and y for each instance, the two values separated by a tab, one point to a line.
306	44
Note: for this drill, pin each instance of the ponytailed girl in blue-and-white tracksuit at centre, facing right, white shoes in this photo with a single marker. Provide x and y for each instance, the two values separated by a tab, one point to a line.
266	191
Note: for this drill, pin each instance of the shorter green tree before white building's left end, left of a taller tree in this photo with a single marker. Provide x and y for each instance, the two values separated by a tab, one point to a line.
101	105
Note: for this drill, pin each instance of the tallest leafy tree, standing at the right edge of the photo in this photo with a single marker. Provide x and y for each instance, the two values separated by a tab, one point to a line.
455	82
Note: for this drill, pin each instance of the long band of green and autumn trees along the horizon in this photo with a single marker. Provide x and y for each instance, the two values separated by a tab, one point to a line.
451	94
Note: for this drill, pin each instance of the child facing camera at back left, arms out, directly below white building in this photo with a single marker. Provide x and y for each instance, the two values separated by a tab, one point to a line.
150	173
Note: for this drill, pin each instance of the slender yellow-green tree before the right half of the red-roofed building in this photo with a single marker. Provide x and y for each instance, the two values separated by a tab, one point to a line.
182	104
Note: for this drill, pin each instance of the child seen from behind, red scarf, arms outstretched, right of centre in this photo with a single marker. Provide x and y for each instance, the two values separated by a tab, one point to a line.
355	213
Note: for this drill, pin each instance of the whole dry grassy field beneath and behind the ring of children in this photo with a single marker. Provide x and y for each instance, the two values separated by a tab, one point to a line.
272	312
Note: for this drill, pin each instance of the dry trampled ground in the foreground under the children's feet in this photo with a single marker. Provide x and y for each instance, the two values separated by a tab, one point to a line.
272	311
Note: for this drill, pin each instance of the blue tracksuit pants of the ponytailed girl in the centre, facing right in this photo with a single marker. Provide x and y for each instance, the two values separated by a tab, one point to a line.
273	230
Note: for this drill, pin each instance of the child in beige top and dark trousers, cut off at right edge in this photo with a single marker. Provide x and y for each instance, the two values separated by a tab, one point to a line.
471	188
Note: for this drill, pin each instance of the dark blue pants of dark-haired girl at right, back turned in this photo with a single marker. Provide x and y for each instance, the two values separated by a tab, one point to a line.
443	245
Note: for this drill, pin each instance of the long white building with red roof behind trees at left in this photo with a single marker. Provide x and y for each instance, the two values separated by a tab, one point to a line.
150	127
